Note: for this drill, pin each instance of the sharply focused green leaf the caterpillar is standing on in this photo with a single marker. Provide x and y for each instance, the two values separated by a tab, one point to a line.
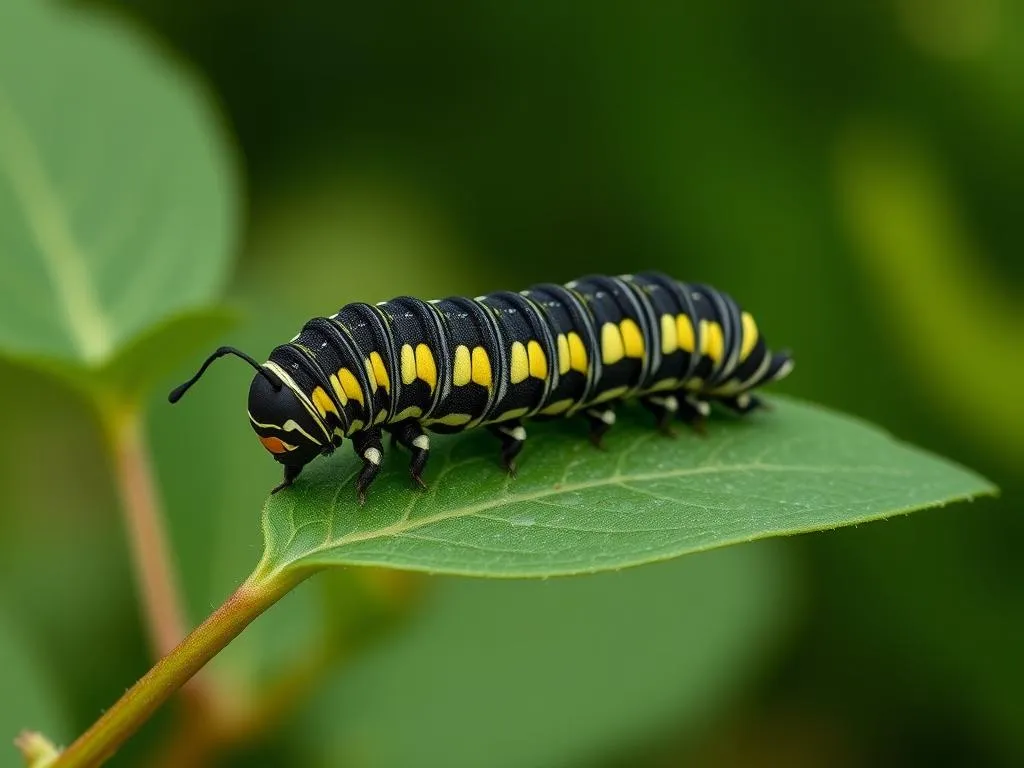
574	509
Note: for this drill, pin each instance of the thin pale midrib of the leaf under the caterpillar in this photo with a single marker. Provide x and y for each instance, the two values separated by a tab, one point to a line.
405	525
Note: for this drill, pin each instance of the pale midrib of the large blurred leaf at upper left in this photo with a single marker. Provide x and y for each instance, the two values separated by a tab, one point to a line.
65	261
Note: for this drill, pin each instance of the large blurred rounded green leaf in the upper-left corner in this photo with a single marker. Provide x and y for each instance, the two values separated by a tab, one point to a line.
117	201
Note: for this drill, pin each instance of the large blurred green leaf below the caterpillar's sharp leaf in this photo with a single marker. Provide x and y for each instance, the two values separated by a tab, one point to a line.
557	673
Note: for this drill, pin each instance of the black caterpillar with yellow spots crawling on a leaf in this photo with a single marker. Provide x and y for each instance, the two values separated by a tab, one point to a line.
407	366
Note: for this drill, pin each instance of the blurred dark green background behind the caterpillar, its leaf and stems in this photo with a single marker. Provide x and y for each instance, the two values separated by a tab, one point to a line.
852	173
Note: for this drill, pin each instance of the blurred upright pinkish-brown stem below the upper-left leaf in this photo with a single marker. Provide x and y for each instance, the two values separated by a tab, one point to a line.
155	573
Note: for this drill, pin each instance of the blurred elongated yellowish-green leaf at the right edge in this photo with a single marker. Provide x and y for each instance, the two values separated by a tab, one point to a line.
912	241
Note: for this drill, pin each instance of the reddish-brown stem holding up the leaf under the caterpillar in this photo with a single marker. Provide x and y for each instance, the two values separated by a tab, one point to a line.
258	594
